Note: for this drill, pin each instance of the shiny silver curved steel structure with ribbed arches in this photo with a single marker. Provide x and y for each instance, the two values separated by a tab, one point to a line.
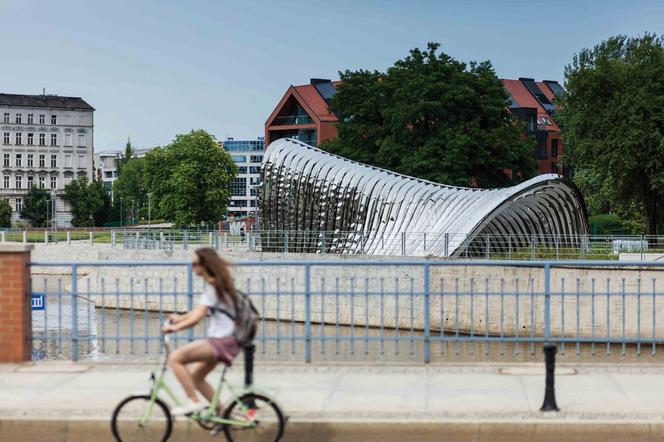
305	189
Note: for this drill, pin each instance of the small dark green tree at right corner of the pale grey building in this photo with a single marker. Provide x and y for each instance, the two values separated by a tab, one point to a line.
90	205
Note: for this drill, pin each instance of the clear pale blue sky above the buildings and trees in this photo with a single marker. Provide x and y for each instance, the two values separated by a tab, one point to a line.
156	68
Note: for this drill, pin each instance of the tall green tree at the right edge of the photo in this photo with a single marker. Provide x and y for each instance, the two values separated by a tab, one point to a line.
613	125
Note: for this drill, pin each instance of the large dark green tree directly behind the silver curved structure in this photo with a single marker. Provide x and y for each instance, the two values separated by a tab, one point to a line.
432	117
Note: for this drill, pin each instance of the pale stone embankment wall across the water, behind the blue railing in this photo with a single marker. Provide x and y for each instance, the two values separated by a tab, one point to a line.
507	300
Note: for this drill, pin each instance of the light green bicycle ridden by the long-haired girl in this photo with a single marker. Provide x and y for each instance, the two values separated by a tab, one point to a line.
249	416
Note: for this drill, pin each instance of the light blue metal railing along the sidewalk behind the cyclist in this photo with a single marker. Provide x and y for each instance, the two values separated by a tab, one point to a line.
394	310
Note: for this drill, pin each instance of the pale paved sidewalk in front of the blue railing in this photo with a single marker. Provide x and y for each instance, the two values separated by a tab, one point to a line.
442	402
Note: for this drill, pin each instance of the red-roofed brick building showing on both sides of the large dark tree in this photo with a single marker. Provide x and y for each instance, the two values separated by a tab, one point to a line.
303	114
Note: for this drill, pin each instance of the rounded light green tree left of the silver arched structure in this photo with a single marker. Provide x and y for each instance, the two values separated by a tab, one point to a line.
190	179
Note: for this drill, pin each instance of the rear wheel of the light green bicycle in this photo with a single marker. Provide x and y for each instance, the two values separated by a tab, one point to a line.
264	414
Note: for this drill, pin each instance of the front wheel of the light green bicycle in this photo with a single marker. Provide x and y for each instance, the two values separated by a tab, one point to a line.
127	425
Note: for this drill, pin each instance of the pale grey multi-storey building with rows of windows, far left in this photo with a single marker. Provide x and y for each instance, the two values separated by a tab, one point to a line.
47	141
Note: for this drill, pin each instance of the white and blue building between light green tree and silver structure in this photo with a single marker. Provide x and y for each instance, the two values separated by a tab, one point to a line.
248	155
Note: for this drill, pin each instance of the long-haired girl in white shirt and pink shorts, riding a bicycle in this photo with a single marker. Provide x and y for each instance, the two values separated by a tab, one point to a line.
220	346
